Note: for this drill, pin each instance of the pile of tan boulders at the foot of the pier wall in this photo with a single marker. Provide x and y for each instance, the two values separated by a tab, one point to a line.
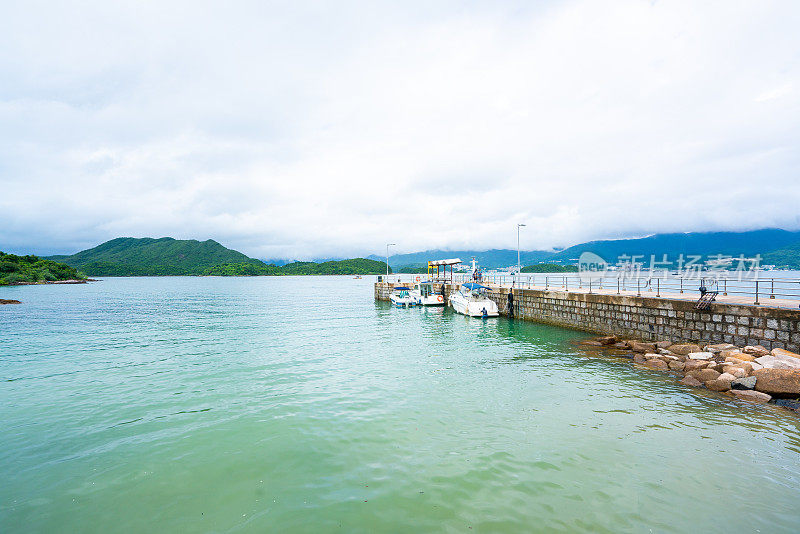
751	373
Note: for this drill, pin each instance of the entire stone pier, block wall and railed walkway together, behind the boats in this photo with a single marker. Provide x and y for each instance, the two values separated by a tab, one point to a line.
650	313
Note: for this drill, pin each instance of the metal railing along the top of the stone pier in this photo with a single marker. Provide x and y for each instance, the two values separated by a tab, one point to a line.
759	290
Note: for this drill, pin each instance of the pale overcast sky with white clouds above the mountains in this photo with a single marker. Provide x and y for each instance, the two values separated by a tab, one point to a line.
312	129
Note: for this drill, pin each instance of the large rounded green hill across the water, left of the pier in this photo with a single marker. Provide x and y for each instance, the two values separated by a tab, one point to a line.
128	256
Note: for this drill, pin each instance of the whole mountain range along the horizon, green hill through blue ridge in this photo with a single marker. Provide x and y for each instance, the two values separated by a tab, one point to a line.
128	256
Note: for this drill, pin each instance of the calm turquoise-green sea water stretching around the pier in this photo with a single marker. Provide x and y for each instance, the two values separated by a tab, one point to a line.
301	405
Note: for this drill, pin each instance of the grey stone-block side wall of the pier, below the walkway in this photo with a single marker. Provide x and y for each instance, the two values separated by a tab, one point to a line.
647	318
